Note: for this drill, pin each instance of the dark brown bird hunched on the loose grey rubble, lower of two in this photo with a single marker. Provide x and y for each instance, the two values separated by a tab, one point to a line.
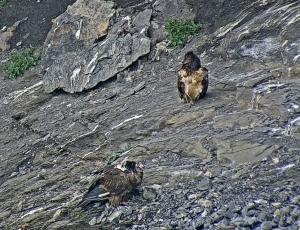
115	184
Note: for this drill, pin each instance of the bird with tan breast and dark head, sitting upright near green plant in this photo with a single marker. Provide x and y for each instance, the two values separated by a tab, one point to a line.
192	80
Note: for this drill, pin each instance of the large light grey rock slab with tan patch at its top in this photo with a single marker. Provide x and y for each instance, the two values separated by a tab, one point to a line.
77	57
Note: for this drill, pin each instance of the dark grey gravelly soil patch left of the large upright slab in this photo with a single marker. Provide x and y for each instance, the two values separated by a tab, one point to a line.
35	29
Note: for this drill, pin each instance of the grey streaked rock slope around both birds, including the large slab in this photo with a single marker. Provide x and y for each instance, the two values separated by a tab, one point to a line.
230	161
